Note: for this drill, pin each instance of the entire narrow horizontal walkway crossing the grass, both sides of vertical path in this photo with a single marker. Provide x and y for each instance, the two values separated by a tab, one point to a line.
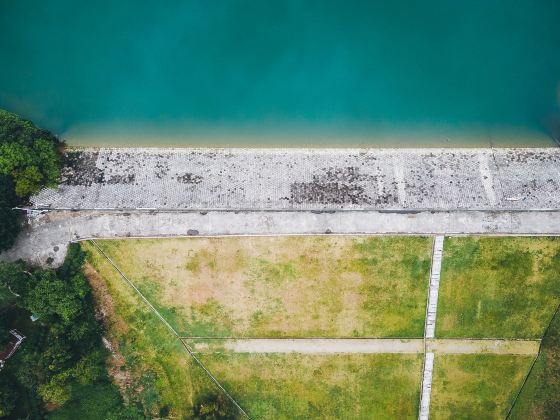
363	345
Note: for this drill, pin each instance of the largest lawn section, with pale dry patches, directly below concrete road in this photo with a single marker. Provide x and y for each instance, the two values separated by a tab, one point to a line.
333	286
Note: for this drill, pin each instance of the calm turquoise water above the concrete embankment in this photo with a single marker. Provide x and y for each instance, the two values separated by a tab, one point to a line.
285	72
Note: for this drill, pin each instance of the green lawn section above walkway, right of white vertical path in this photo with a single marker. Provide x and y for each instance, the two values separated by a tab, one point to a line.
502	287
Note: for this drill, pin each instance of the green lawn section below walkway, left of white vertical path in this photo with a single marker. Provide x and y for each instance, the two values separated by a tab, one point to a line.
292	386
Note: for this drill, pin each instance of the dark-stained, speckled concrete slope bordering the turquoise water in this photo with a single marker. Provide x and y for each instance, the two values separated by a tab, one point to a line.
307	179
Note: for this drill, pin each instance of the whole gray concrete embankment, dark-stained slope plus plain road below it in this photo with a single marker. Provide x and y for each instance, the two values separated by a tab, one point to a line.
108	193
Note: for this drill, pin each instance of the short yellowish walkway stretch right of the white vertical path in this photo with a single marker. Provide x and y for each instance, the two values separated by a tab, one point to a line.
483	346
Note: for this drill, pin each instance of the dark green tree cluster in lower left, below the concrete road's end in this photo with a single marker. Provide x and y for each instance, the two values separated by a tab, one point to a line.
62	362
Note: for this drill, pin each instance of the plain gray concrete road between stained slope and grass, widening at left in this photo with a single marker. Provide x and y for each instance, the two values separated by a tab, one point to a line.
47	236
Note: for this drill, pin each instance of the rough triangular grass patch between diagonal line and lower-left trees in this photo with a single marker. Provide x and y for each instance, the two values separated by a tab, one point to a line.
148	364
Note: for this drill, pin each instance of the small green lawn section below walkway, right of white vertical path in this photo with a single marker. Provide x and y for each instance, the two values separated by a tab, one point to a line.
476	386
